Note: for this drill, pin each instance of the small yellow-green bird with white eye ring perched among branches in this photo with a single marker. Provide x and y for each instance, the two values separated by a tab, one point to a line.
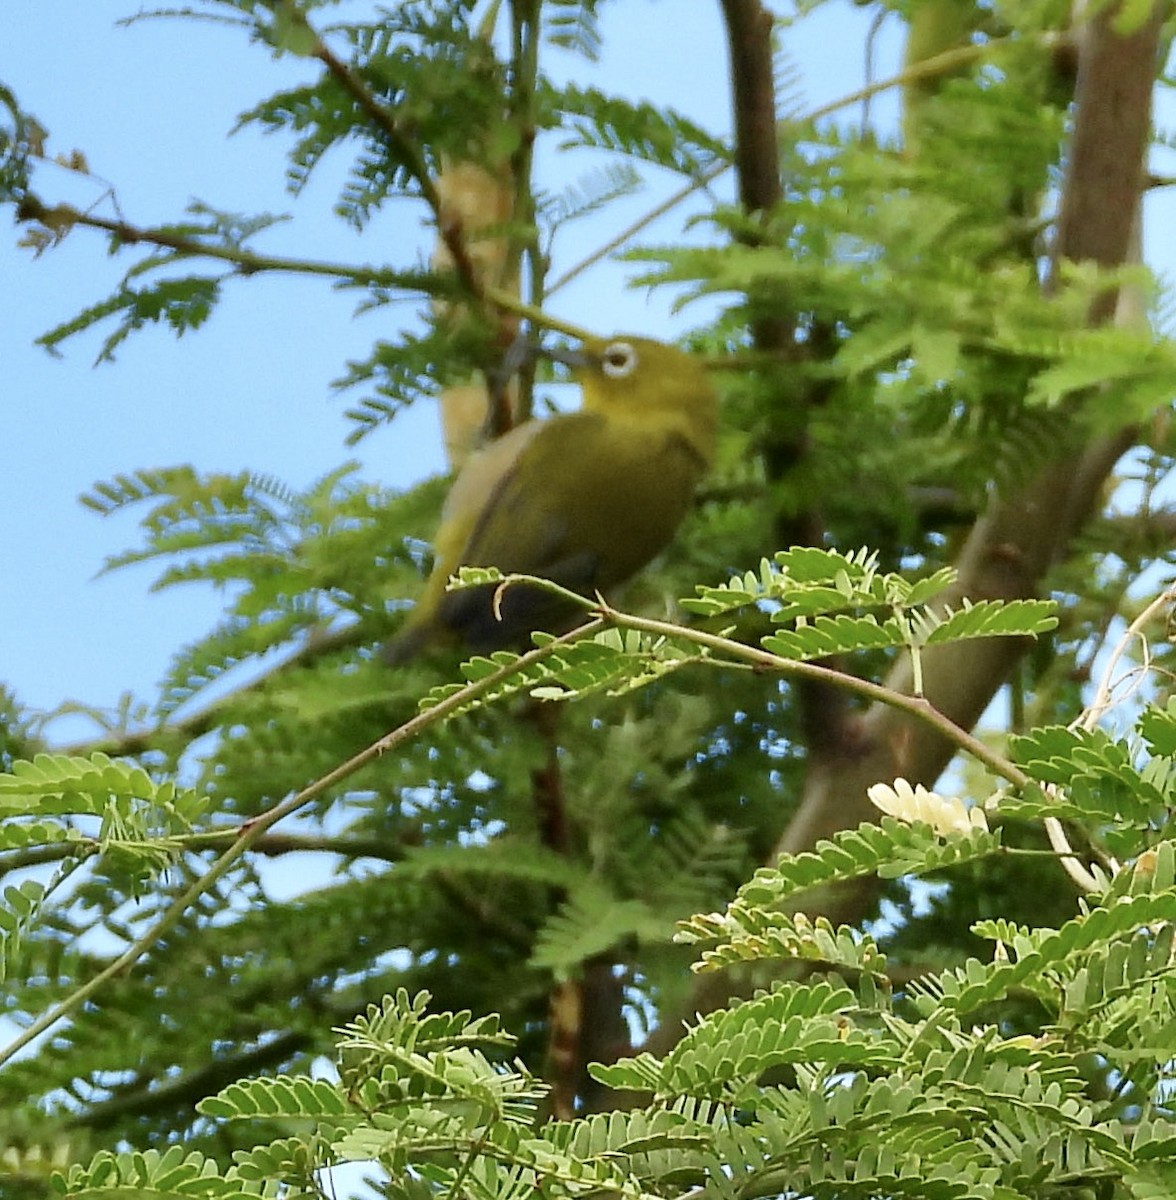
585	500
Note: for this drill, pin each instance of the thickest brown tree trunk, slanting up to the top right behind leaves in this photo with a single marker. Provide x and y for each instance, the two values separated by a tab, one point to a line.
1016	543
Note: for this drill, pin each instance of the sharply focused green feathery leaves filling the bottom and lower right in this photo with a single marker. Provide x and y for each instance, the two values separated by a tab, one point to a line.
976	1081
